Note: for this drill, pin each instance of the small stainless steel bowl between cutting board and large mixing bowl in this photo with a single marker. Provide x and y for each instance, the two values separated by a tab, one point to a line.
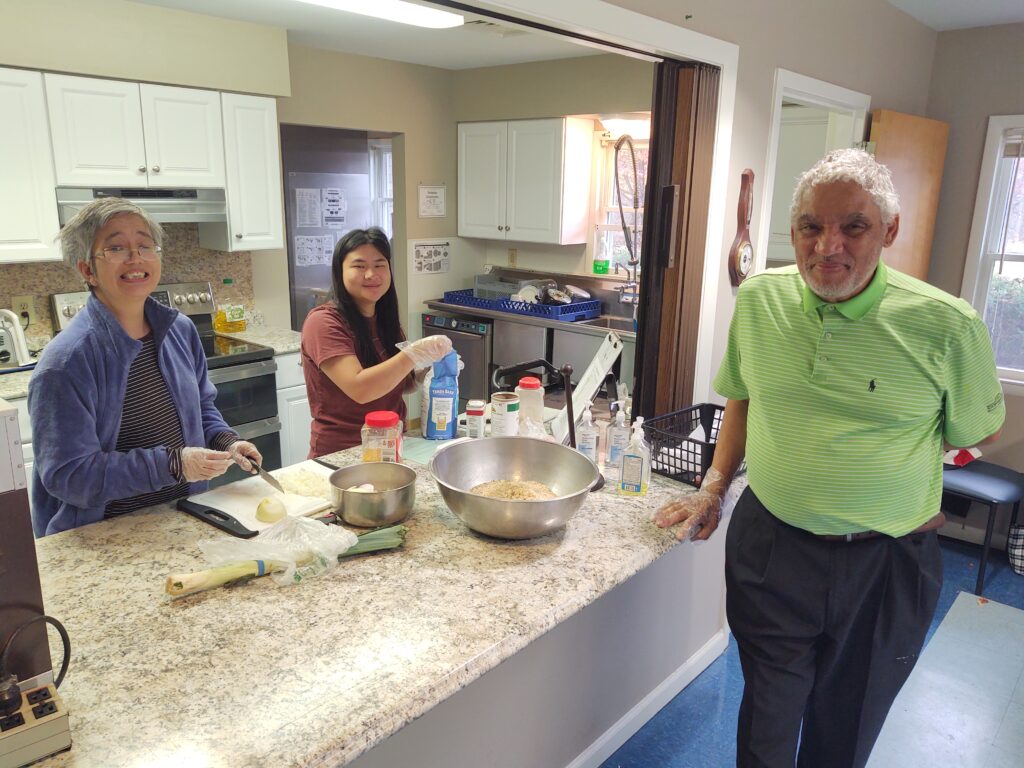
391	502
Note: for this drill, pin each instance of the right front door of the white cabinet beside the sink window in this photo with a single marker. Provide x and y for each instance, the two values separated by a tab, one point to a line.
535	181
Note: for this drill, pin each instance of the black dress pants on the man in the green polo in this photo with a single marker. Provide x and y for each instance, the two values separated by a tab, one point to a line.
828	633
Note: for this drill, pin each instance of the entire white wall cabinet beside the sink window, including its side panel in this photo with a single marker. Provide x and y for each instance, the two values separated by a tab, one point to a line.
527	181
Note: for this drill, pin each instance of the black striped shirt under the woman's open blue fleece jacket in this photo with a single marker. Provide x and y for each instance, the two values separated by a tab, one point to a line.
149	419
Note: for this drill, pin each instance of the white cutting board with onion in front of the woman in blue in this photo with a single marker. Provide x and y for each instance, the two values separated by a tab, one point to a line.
241	498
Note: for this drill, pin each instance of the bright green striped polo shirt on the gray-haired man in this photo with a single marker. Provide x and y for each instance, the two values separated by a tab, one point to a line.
850	403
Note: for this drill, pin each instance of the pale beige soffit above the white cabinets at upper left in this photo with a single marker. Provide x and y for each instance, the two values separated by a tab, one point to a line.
132	41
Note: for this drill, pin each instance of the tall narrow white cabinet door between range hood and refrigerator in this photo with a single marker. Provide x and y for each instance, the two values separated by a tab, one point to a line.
252	154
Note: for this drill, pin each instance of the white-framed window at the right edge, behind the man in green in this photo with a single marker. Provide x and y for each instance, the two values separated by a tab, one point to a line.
994	278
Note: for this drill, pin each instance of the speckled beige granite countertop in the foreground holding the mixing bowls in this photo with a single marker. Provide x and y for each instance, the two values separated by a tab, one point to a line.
319	673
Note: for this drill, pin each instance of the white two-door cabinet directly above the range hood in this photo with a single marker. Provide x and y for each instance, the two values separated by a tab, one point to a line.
114	134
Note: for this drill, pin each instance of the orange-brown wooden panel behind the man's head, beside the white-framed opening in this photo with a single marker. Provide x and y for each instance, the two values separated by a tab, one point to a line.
915	150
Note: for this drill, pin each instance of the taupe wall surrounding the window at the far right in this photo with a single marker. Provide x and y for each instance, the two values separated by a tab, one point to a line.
977	73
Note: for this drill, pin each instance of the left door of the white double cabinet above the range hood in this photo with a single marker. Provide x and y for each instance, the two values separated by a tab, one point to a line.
97	131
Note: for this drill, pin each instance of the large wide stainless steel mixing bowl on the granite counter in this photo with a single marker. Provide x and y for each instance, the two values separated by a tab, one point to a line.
465	464
